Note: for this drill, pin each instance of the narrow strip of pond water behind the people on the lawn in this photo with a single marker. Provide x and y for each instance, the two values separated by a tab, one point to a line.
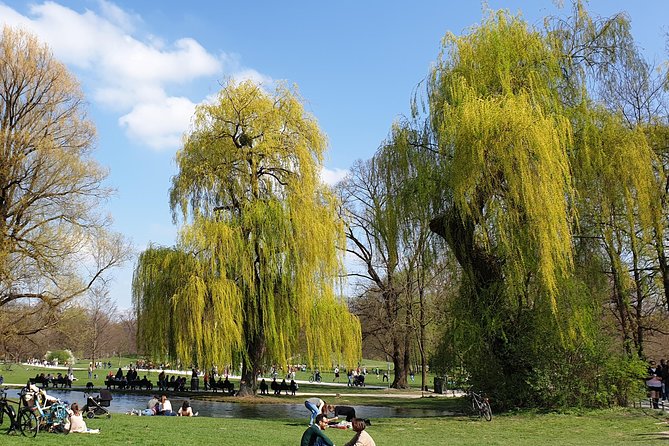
125	402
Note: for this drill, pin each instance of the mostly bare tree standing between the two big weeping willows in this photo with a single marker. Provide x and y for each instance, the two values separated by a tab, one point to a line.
388	233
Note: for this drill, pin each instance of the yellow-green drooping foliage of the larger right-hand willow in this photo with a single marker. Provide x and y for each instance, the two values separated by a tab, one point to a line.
499	121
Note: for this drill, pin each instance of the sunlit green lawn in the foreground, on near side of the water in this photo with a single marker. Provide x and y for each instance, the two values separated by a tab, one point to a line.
603	427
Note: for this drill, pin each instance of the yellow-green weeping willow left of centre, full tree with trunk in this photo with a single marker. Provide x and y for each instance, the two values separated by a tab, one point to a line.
252	277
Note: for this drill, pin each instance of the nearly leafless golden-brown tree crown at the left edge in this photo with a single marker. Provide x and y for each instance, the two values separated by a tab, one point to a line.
54	245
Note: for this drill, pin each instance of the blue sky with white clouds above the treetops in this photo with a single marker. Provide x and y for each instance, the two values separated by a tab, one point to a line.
144	66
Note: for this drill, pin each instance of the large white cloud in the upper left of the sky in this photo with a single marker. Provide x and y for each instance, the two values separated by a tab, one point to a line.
130	75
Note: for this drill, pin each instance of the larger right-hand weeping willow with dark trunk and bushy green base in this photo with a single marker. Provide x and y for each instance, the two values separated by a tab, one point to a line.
517	134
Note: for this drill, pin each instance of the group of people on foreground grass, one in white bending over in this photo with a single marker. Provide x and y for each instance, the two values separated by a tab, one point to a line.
319	421
